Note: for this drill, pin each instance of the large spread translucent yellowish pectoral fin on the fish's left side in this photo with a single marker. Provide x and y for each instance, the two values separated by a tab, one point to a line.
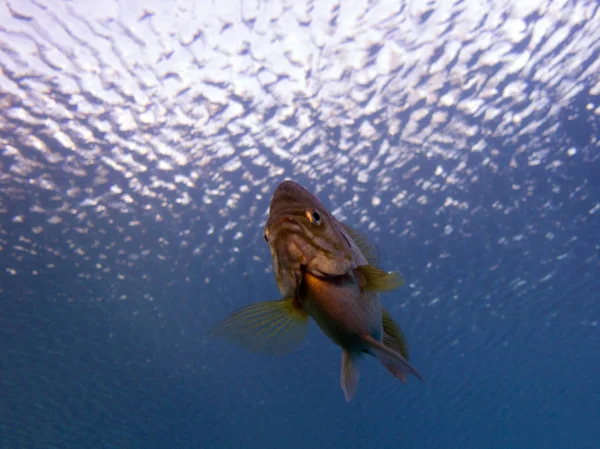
273	327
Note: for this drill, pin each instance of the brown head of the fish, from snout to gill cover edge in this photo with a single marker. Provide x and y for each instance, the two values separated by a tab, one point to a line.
304	237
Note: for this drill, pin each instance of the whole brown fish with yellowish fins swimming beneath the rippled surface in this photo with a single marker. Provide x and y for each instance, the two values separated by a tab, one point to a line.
328	271
